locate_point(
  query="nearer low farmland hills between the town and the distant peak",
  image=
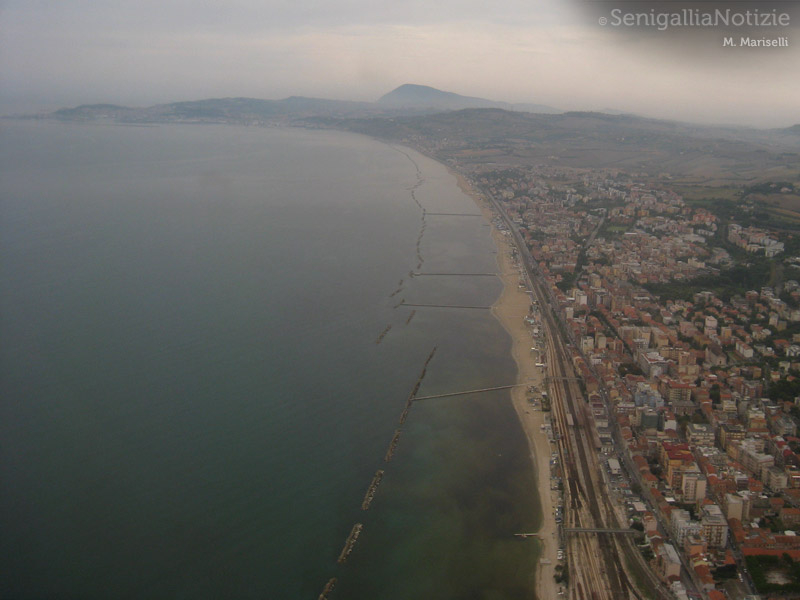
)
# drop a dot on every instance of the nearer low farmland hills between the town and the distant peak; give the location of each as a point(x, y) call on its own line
point(475, 137)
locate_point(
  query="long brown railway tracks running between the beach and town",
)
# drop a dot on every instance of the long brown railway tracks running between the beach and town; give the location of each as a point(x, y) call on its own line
point(600, 561)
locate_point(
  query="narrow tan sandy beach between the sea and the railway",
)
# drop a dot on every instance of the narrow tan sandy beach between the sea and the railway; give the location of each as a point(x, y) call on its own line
point(511, 309)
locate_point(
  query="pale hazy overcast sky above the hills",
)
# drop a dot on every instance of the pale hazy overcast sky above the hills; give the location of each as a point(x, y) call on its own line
point(142, 52)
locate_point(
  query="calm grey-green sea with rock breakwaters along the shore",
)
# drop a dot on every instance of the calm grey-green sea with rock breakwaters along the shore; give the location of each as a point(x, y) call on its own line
point(206, 347)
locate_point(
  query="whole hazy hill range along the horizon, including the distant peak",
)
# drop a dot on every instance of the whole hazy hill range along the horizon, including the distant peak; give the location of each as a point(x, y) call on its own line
point(490, 132)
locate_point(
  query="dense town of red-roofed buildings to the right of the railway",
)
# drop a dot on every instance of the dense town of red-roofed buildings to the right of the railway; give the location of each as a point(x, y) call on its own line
point(683, 325)
